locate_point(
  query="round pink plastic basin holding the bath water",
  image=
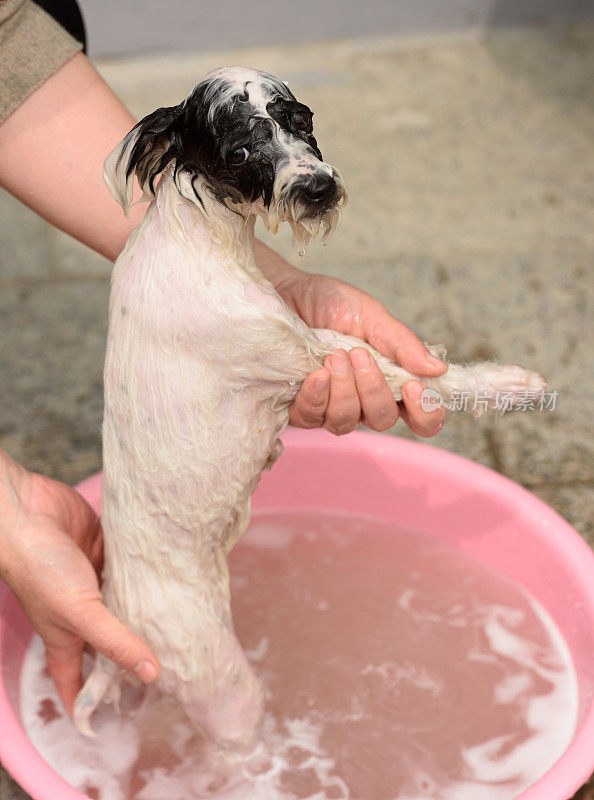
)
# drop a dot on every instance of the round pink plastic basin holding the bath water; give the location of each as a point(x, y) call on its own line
point(419, 487)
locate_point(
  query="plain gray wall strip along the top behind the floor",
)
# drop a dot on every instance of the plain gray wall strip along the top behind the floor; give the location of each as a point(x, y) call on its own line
point(120, 27)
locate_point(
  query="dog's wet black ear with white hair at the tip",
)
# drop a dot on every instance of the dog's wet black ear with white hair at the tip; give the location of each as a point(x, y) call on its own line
point(145, 152)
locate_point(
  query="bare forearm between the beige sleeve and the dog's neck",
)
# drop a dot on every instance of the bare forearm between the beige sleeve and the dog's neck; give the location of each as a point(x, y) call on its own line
point(51, 155)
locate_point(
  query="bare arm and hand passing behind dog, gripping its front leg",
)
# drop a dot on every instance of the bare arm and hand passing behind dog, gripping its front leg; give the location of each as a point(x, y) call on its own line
point(51, 157)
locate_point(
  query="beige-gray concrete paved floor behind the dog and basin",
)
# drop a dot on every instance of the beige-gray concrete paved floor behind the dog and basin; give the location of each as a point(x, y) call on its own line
point(469, 163)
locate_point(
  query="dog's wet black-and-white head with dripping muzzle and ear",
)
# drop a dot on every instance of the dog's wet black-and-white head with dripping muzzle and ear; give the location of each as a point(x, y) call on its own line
point(250, 139)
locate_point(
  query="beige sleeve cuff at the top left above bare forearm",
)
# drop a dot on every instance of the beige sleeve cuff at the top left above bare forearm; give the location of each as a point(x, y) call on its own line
point(32, 47)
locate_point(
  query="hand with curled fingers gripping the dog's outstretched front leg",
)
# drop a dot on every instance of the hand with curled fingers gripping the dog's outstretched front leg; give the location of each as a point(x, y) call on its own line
point(350, 388)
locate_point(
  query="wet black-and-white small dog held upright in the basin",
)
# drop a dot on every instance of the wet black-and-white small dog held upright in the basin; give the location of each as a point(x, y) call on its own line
point(203, 360)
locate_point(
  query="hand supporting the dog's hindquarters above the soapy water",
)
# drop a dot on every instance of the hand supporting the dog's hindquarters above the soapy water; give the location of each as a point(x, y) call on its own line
point(51, 554)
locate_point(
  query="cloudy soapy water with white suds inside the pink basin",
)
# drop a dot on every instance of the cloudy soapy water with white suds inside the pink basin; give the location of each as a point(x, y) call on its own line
point(395, 668)
